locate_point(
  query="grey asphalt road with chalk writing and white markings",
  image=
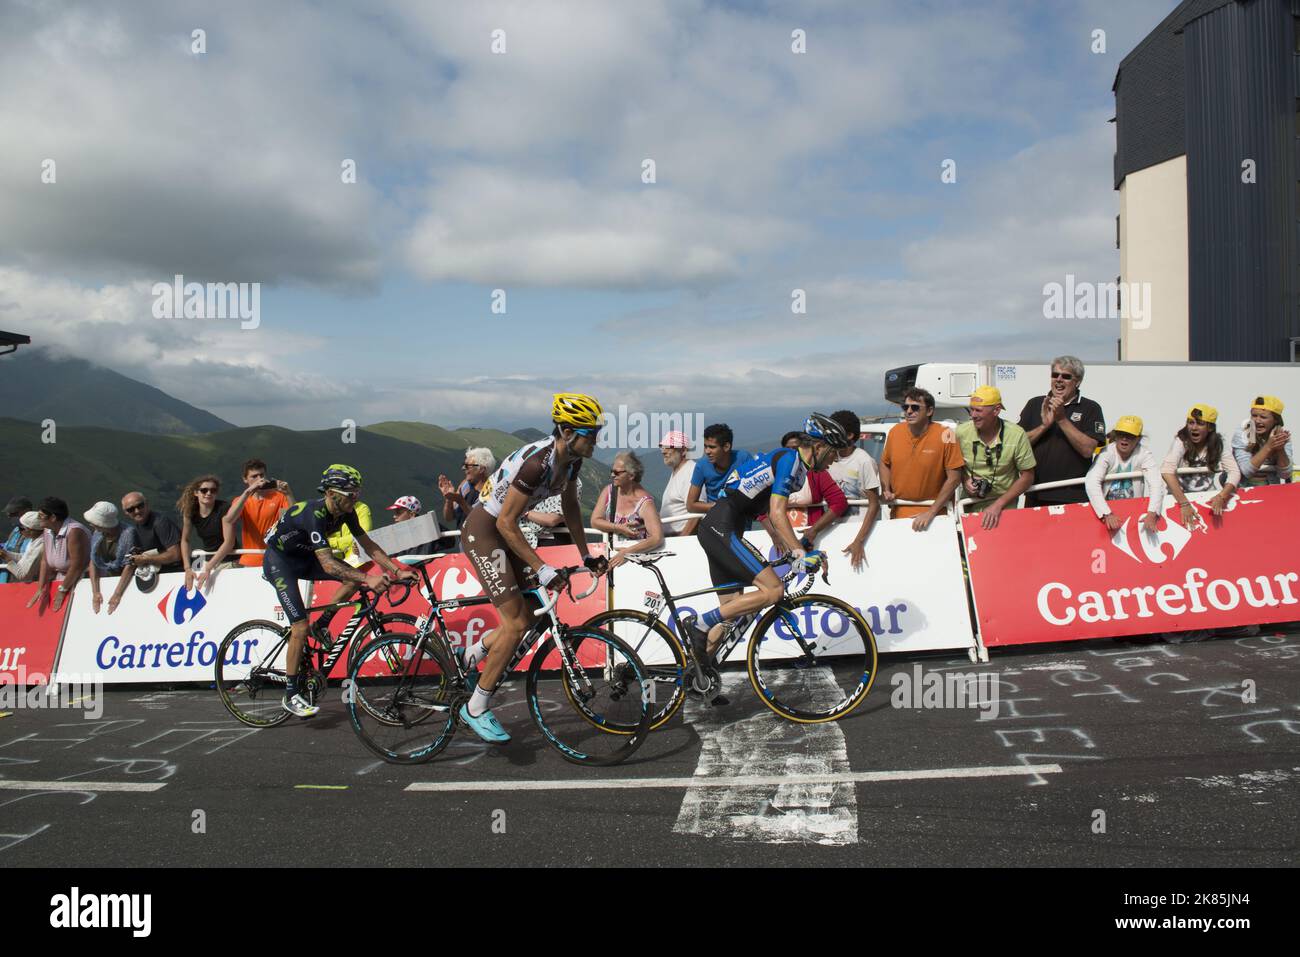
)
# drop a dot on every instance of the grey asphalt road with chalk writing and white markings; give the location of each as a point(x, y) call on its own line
point(1098, 755)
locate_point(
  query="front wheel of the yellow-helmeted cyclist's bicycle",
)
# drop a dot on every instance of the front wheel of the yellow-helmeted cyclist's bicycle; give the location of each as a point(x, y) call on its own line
point(592, 700)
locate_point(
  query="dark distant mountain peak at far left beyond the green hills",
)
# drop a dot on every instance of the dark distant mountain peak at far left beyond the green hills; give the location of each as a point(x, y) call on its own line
point(73, 392)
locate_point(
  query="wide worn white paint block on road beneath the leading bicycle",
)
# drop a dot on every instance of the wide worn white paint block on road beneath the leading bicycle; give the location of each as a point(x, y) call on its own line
point(788, 787)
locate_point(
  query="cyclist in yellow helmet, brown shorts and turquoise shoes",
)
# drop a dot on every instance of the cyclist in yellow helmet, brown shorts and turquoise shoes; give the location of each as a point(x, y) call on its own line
point(502, 558)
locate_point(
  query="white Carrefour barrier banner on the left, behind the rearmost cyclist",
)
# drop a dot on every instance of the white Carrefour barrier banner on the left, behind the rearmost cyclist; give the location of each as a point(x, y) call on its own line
point(168, 635)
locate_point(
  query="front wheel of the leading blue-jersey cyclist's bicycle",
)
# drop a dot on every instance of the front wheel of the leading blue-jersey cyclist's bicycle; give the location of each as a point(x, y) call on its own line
point(812, 660)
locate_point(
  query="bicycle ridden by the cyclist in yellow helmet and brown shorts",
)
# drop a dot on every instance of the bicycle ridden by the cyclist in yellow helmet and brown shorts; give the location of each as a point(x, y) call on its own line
point(586, 690)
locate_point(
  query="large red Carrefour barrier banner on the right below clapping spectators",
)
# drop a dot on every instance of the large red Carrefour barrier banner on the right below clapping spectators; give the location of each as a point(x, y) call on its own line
point(1056, 574)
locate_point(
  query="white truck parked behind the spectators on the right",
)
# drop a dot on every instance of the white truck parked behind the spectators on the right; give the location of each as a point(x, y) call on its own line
point(1160, 393)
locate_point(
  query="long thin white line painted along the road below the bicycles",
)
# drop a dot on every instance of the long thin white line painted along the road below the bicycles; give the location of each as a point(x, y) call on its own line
point(744, 781)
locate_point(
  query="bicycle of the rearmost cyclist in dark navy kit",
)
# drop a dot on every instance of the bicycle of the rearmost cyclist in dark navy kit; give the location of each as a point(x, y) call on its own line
point(250, 668)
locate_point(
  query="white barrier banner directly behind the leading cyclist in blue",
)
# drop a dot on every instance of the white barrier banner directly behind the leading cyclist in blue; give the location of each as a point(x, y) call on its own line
point(912, 591)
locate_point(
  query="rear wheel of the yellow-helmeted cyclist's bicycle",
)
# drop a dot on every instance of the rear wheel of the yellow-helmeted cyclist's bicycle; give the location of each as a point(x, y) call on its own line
point(402, 698)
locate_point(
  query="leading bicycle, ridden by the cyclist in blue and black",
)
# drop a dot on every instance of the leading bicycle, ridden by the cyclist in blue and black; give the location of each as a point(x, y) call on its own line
point(812, 659)
